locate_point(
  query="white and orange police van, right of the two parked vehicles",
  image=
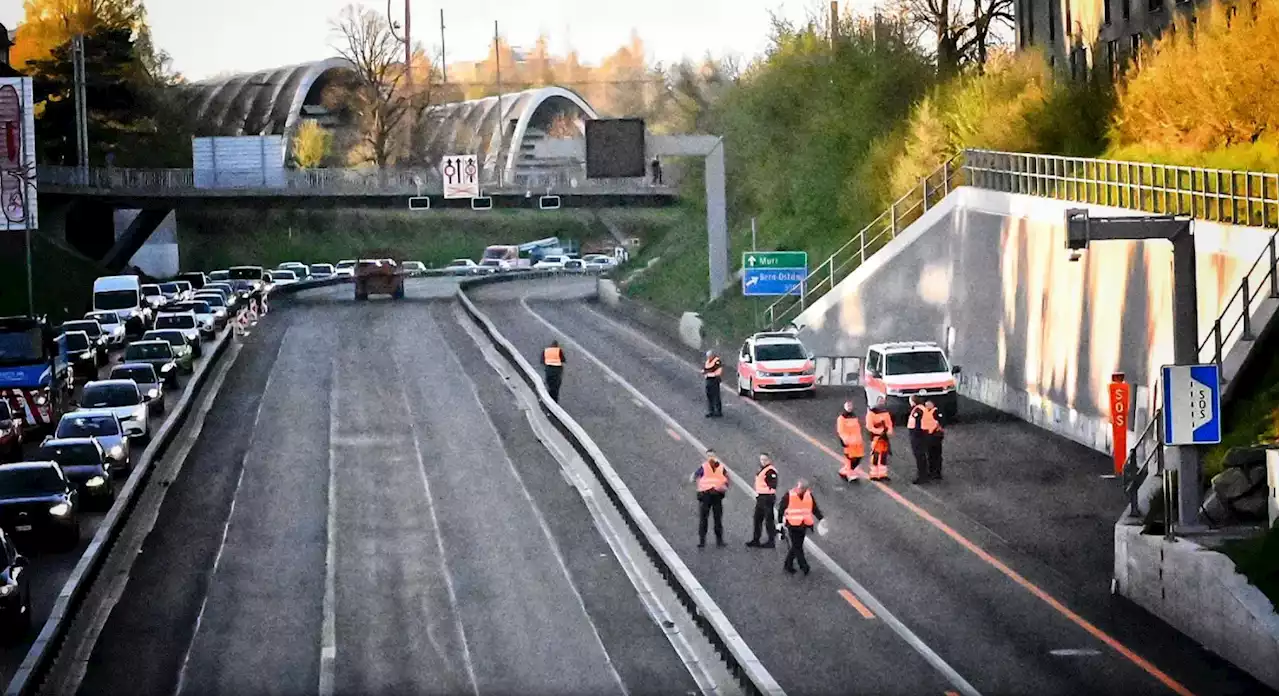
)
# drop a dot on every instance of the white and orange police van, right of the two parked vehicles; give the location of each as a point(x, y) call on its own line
point(900, 370)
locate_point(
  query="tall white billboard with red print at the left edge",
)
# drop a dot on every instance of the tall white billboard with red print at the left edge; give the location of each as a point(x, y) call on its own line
point(17, 154)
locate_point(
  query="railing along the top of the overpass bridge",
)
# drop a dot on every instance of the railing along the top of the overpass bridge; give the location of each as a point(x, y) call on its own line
point(332, 182)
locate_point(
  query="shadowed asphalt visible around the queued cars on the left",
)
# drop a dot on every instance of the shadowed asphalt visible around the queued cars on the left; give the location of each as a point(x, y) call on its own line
point(51, 567)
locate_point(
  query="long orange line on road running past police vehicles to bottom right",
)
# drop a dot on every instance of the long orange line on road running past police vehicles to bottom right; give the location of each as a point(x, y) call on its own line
point(1133, 658)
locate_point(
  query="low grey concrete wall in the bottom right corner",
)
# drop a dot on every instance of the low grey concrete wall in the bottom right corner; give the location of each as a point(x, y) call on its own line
point(1199, 592)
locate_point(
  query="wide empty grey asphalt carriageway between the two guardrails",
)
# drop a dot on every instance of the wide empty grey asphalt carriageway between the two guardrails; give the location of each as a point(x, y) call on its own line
point(367, 512)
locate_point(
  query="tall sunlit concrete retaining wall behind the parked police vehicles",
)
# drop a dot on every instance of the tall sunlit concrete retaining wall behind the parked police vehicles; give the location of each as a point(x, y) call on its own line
point(1037, 336)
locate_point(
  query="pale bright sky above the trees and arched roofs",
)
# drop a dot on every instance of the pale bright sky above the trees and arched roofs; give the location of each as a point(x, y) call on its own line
point(213, 38)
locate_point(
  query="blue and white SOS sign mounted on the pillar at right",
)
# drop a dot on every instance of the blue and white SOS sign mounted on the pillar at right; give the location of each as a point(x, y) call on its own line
point(1194, 405)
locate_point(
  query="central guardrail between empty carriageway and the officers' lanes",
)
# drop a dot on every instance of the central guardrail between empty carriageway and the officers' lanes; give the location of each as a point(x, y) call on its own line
point(742, 662)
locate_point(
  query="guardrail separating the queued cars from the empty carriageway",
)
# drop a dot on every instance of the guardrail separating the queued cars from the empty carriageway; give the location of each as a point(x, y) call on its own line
point(44, 652)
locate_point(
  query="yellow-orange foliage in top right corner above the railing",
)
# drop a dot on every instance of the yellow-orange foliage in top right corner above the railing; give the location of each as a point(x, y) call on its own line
point(1209, 85)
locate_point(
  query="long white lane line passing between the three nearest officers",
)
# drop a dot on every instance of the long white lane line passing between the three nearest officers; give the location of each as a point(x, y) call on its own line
point(906, 634)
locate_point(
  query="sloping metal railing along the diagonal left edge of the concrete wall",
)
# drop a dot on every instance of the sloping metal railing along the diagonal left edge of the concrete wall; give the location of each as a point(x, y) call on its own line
point(877, 233)
